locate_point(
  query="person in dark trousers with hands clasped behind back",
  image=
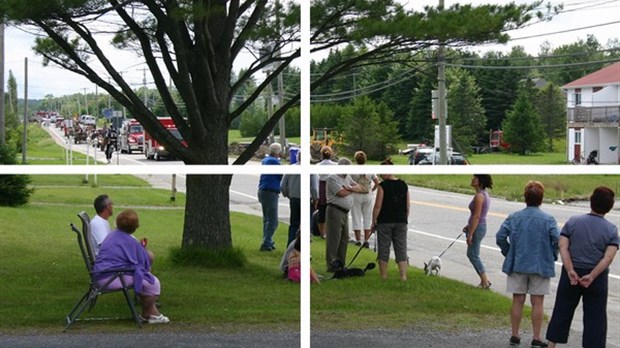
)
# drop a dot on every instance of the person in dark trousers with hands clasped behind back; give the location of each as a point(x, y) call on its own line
point(588, 245)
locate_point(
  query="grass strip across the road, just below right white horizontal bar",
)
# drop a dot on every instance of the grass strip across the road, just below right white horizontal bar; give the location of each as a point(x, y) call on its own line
point(557, 187)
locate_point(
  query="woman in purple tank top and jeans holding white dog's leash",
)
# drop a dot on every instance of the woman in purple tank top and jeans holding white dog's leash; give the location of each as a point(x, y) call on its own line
point(476, 227)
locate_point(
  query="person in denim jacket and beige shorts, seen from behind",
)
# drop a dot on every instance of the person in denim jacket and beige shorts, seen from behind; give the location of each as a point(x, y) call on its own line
point(528, 240)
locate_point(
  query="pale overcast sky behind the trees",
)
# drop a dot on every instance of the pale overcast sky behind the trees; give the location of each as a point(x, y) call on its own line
point(57, 82)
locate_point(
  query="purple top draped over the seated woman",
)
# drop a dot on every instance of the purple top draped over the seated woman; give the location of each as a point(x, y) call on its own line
point(122, 251)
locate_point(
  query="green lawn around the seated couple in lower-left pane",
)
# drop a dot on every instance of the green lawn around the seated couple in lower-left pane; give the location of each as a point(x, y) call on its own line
point(43, 275)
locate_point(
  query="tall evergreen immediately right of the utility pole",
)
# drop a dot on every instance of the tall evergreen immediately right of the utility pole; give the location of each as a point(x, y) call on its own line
point(465, 111)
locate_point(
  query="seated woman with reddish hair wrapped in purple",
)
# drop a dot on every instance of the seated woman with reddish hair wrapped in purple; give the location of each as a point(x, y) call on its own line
point(120, 250)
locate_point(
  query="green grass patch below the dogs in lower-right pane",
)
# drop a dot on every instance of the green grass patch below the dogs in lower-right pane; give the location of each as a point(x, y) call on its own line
point(433, 302)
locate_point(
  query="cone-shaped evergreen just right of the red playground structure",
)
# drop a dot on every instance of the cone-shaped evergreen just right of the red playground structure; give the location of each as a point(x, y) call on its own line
point(522, 127)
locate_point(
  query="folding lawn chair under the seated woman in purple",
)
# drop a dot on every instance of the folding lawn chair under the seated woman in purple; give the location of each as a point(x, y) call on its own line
point(89, 299)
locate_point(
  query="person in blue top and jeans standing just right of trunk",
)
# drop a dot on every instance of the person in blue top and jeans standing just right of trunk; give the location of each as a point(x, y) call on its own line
point(268, 194)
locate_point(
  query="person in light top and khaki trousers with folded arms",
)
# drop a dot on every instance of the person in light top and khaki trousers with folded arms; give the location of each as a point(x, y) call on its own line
point(339, 188)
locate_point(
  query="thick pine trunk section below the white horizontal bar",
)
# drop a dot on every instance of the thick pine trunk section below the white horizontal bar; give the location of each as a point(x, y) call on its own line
point(207, 212)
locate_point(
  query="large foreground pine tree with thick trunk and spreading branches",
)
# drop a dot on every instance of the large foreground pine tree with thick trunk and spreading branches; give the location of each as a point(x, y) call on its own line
point(194, 44)
